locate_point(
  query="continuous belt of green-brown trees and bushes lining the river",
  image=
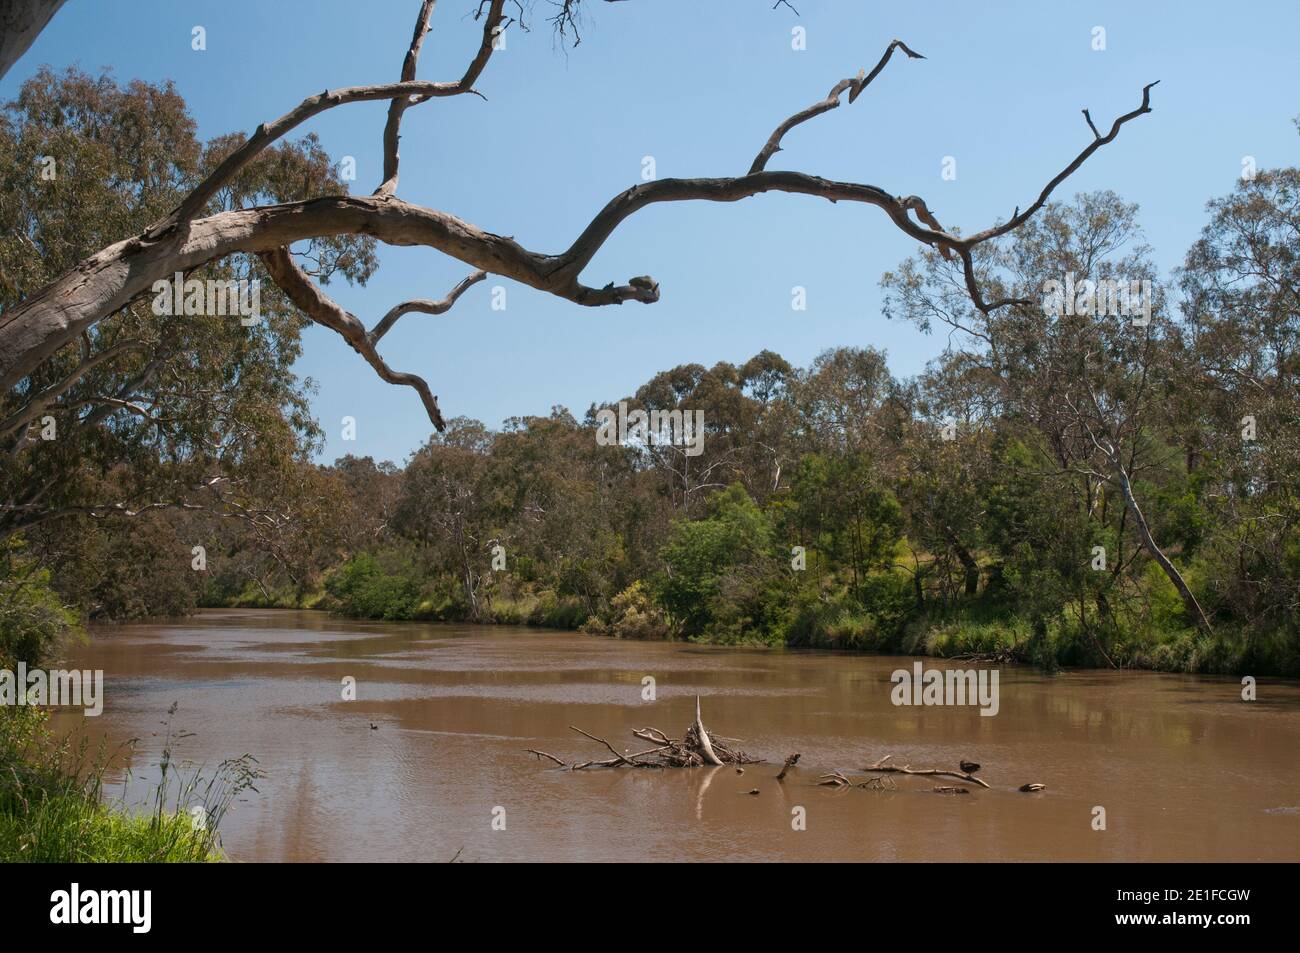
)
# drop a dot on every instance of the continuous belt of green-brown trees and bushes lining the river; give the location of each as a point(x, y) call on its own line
point(1082, 487)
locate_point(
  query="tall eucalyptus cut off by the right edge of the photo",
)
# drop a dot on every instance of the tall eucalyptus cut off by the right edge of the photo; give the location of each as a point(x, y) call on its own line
point(1241, 288)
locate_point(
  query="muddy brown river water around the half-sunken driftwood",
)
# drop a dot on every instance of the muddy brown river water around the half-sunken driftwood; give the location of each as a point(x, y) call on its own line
point(1182, 766)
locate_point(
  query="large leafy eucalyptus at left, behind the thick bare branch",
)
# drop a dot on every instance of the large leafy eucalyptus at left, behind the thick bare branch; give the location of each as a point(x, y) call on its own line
point(151, 413)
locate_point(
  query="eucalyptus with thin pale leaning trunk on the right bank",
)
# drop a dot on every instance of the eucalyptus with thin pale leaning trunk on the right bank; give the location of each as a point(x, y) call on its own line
point(1086, 359)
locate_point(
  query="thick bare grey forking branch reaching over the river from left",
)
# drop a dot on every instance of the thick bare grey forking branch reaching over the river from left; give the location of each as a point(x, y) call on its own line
point(110, 280)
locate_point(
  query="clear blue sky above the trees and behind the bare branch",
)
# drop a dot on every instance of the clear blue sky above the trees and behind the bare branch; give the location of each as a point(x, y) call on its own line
point(700, 86)
